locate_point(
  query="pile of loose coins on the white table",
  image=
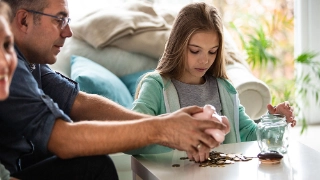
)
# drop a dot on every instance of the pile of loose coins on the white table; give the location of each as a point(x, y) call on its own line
point(219, 159)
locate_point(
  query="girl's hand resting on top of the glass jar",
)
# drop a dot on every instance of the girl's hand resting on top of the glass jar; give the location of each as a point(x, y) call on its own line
point(285, 109)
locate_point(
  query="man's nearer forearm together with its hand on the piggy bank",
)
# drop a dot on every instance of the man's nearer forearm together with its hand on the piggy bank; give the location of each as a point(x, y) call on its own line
point(177, 130)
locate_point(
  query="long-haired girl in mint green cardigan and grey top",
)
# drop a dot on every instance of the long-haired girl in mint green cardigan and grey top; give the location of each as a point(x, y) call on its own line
point(192, 71)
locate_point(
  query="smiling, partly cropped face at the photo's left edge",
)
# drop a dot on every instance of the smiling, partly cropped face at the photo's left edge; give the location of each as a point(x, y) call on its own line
point(8, 58)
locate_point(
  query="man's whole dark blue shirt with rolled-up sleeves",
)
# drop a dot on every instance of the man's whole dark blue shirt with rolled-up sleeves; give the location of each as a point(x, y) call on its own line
point(37, 98)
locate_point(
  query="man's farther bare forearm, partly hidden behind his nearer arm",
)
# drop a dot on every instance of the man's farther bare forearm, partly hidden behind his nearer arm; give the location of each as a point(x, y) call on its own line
point(95, 107)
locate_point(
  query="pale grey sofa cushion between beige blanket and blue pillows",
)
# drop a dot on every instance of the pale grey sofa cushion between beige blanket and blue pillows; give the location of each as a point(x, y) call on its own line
point(116, 60)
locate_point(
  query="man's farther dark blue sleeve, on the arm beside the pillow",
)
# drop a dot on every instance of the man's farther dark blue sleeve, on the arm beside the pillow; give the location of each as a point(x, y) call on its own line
point(61, 89)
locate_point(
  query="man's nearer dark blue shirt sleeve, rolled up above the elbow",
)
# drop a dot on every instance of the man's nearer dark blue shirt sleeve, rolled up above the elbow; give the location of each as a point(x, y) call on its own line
point(28, 113)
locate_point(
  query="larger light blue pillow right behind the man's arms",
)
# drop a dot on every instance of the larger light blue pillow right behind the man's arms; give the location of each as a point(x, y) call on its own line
point(95, 79)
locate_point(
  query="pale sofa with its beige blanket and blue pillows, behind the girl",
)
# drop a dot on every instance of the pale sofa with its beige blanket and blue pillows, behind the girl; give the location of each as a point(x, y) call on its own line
point(111, 48)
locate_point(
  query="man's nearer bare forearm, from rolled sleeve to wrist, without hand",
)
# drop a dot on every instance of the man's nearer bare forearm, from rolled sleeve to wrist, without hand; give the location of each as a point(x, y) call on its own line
point(88, 138)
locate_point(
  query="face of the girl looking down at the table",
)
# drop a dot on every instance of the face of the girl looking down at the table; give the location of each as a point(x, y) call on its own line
point(201, 53)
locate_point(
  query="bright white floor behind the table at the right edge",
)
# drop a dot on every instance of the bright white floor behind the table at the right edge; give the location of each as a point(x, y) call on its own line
point(310, 137)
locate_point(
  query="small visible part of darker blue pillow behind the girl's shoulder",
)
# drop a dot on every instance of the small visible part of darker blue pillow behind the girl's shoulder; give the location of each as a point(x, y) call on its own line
point(131, 82)
